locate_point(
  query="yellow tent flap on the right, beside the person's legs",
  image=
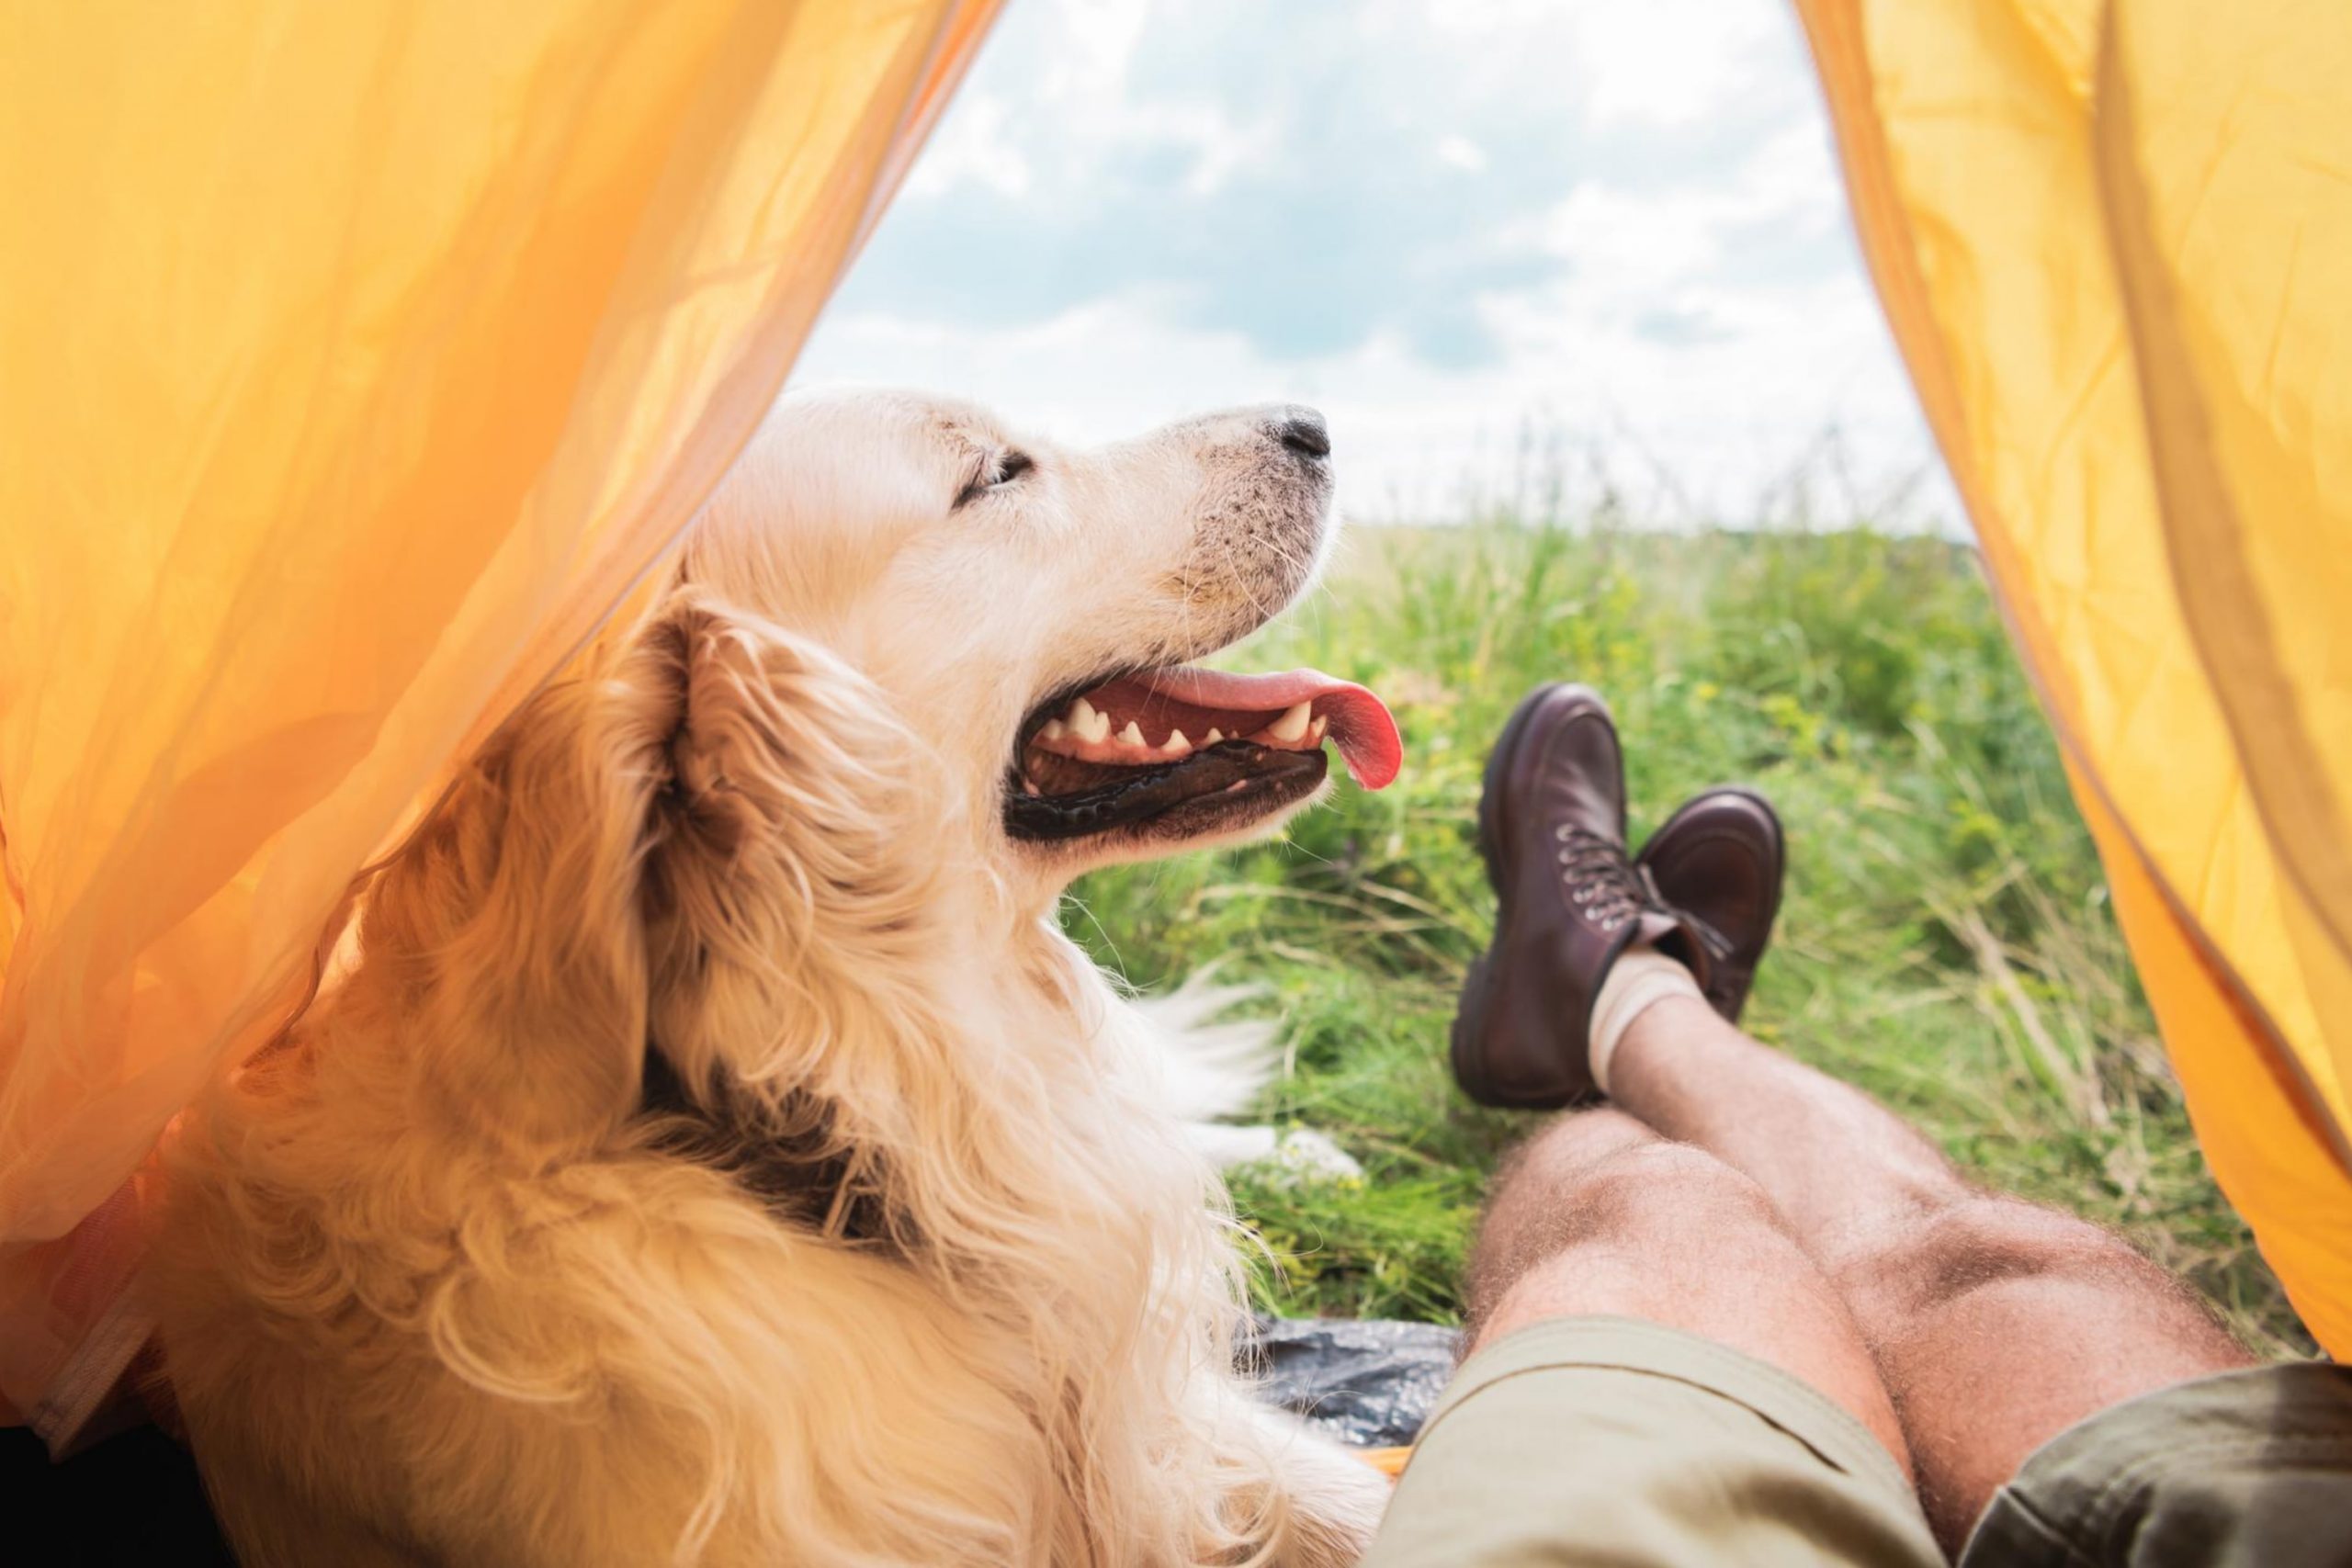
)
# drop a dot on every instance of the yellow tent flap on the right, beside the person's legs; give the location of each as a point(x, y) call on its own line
point(2116, 243)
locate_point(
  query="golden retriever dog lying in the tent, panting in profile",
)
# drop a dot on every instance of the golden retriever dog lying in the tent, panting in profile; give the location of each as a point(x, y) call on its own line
point(709, 1148)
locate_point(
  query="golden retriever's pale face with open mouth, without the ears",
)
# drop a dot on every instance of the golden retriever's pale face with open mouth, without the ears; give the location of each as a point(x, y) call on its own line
point(1029, 612)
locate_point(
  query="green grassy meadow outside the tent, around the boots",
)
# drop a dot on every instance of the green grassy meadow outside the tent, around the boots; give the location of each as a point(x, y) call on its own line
point(1946, 939)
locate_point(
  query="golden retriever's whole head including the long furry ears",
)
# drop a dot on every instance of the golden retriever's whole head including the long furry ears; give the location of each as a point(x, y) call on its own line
point(914, 669)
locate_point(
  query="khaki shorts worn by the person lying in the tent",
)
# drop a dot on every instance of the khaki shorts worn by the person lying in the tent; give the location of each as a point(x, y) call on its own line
point(1629, 1445)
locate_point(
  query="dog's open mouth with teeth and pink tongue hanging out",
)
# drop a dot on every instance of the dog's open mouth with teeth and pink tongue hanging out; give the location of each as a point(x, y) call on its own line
point(1191, 751)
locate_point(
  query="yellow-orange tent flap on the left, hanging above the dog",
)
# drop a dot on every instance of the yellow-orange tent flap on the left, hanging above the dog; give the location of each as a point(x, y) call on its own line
point(356, 361)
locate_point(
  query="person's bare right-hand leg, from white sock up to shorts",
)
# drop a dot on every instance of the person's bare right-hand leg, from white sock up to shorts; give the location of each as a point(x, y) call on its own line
point(1996, 1325)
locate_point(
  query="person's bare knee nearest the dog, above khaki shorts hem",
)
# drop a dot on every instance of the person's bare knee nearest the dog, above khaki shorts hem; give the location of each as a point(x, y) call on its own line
point(1601, 1217)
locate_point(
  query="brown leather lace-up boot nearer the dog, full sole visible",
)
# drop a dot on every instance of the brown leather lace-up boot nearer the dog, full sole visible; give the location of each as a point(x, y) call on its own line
point(1568, 904)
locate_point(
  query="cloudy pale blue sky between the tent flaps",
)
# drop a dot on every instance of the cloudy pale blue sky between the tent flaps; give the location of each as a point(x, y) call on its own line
point(1523, 253)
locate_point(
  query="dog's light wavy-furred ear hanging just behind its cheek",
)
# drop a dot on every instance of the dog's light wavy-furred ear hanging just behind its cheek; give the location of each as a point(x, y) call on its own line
point(791, 880)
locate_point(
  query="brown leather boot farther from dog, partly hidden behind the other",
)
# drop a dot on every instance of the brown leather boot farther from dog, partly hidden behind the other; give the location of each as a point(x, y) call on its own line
point(1718, 864)
